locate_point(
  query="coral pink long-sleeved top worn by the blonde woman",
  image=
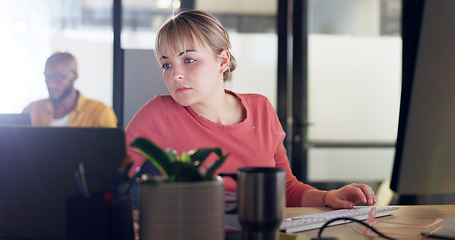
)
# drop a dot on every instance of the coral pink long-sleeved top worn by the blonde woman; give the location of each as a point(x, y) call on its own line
point(255, 142)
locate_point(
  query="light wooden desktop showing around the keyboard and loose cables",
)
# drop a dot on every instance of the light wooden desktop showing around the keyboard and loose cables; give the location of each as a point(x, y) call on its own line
point(416, 215)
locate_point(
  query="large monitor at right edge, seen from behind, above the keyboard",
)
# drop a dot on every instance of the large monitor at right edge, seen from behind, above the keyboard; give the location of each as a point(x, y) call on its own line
point(424, 161)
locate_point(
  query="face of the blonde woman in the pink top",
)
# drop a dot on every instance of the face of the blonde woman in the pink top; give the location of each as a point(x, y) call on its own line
point(194, 76)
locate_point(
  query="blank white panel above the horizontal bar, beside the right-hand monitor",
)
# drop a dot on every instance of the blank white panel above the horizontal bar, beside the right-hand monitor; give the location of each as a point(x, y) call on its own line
point(354, 81)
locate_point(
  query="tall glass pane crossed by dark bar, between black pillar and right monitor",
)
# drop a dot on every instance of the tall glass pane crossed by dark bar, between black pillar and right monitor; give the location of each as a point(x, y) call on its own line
point(354, 84)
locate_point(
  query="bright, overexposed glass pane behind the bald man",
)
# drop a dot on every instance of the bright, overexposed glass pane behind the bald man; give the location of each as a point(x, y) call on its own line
point(32, 30)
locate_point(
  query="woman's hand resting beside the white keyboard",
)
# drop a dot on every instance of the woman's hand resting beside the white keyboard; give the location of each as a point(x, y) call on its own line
point(349, 195)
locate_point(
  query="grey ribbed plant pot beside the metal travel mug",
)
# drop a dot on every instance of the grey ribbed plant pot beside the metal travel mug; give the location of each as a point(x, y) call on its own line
point(182, 211)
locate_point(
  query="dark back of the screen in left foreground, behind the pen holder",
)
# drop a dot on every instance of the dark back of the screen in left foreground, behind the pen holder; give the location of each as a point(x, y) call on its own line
point(37, 166)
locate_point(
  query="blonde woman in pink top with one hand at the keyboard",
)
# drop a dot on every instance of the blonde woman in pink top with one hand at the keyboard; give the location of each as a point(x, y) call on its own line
point(193, 49)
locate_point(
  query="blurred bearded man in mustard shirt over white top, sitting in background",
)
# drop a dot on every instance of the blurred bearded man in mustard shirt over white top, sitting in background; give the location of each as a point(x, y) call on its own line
point(66, 106)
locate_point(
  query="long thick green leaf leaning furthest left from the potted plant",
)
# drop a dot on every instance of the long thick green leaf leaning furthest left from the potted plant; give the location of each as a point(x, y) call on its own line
point(154, 154)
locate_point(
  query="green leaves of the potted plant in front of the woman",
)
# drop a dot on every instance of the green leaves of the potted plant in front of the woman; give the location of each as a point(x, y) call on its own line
point(180, 169)
